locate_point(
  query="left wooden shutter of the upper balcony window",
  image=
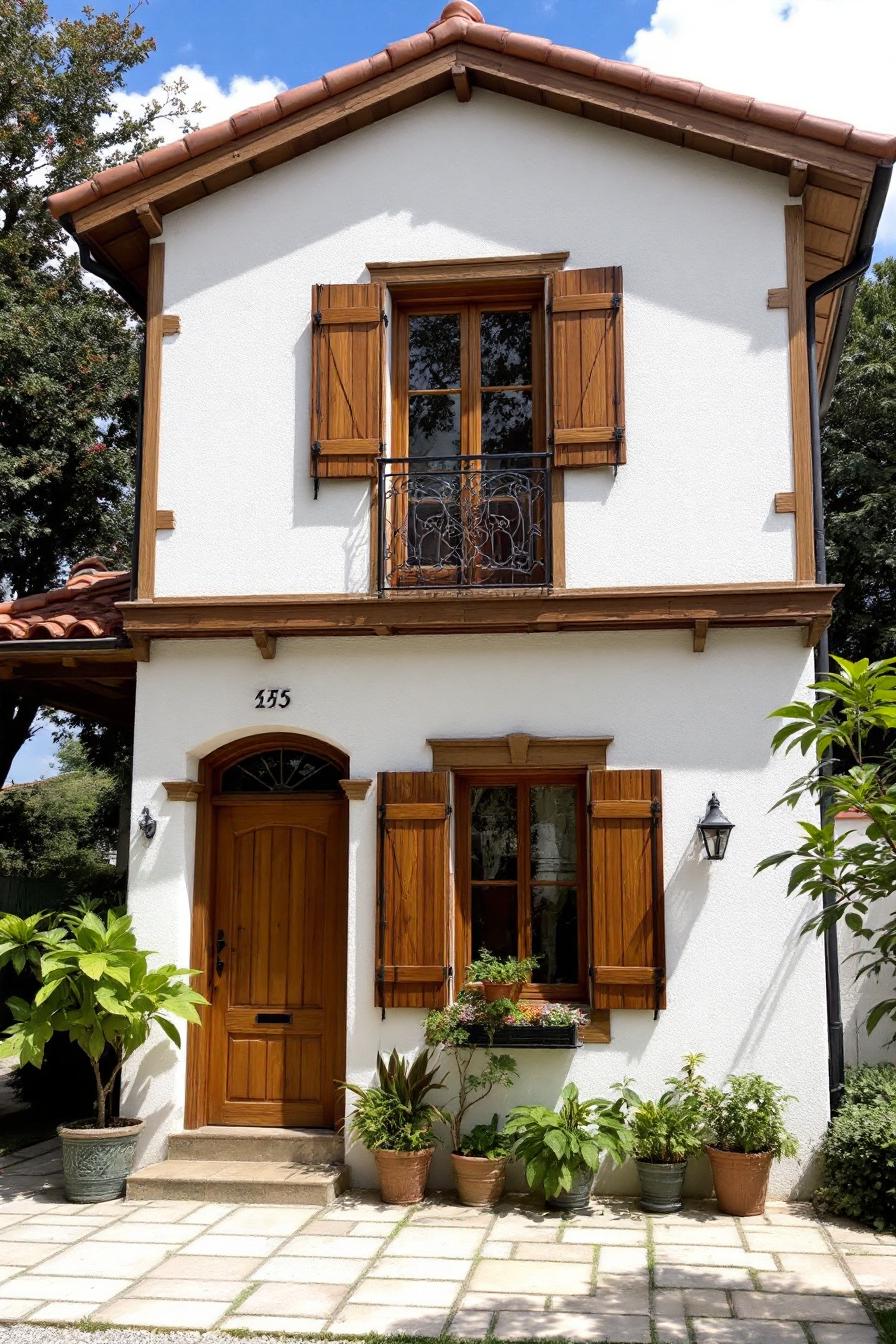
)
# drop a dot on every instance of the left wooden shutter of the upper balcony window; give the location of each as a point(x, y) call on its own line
point(347, 380)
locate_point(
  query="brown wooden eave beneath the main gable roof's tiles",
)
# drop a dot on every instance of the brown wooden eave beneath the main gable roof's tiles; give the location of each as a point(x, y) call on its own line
point(838, 181)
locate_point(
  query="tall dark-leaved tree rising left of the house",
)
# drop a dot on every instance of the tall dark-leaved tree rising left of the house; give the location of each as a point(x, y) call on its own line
point(69, 349)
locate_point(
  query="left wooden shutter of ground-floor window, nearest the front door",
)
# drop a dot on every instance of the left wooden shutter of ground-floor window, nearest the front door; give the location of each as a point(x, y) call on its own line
point(413, 937)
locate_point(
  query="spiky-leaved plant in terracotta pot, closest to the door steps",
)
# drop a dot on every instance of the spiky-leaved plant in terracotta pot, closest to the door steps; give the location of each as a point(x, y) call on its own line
point(394, 1120)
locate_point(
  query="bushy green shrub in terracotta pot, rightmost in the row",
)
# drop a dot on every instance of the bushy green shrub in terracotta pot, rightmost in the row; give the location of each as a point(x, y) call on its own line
point(746, 1123)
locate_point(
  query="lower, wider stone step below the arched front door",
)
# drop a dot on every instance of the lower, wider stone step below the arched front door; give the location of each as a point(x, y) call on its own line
point(240, 1183)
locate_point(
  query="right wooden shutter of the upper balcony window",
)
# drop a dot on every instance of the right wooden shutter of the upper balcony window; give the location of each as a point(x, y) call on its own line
point(586, 347)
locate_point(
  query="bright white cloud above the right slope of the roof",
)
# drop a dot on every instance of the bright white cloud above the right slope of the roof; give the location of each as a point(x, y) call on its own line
point(835, 58)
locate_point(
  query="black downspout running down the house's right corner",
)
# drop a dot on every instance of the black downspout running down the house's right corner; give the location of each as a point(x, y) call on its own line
point(848, 275)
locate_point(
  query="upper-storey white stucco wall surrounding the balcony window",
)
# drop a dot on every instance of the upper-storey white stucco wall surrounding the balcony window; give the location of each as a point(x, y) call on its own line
point(706, 364)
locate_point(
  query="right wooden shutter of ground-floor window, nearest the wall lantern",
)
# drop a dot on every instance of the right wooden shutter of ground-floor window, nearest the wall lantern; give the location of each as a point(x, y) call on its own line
point(628, 927)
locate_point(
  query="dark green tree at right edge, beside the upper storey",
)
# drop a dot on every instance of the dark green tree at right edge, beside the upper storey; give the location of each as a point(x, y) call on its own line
point(860, 475)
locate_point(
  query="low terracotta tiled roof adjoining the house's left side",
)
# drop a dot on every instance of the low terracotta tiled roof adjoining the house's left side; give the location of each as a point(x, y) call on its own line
point(84, 610)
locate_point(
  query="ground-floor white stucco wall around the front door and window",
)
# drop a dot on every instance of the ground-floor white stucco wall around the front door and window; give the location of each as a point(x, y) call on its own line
point(744, 987)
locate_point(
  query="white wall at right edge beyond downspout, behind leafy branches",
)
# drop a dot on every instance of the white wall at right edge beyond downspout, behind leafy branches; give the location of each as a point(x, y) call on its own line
point(859, 995)
